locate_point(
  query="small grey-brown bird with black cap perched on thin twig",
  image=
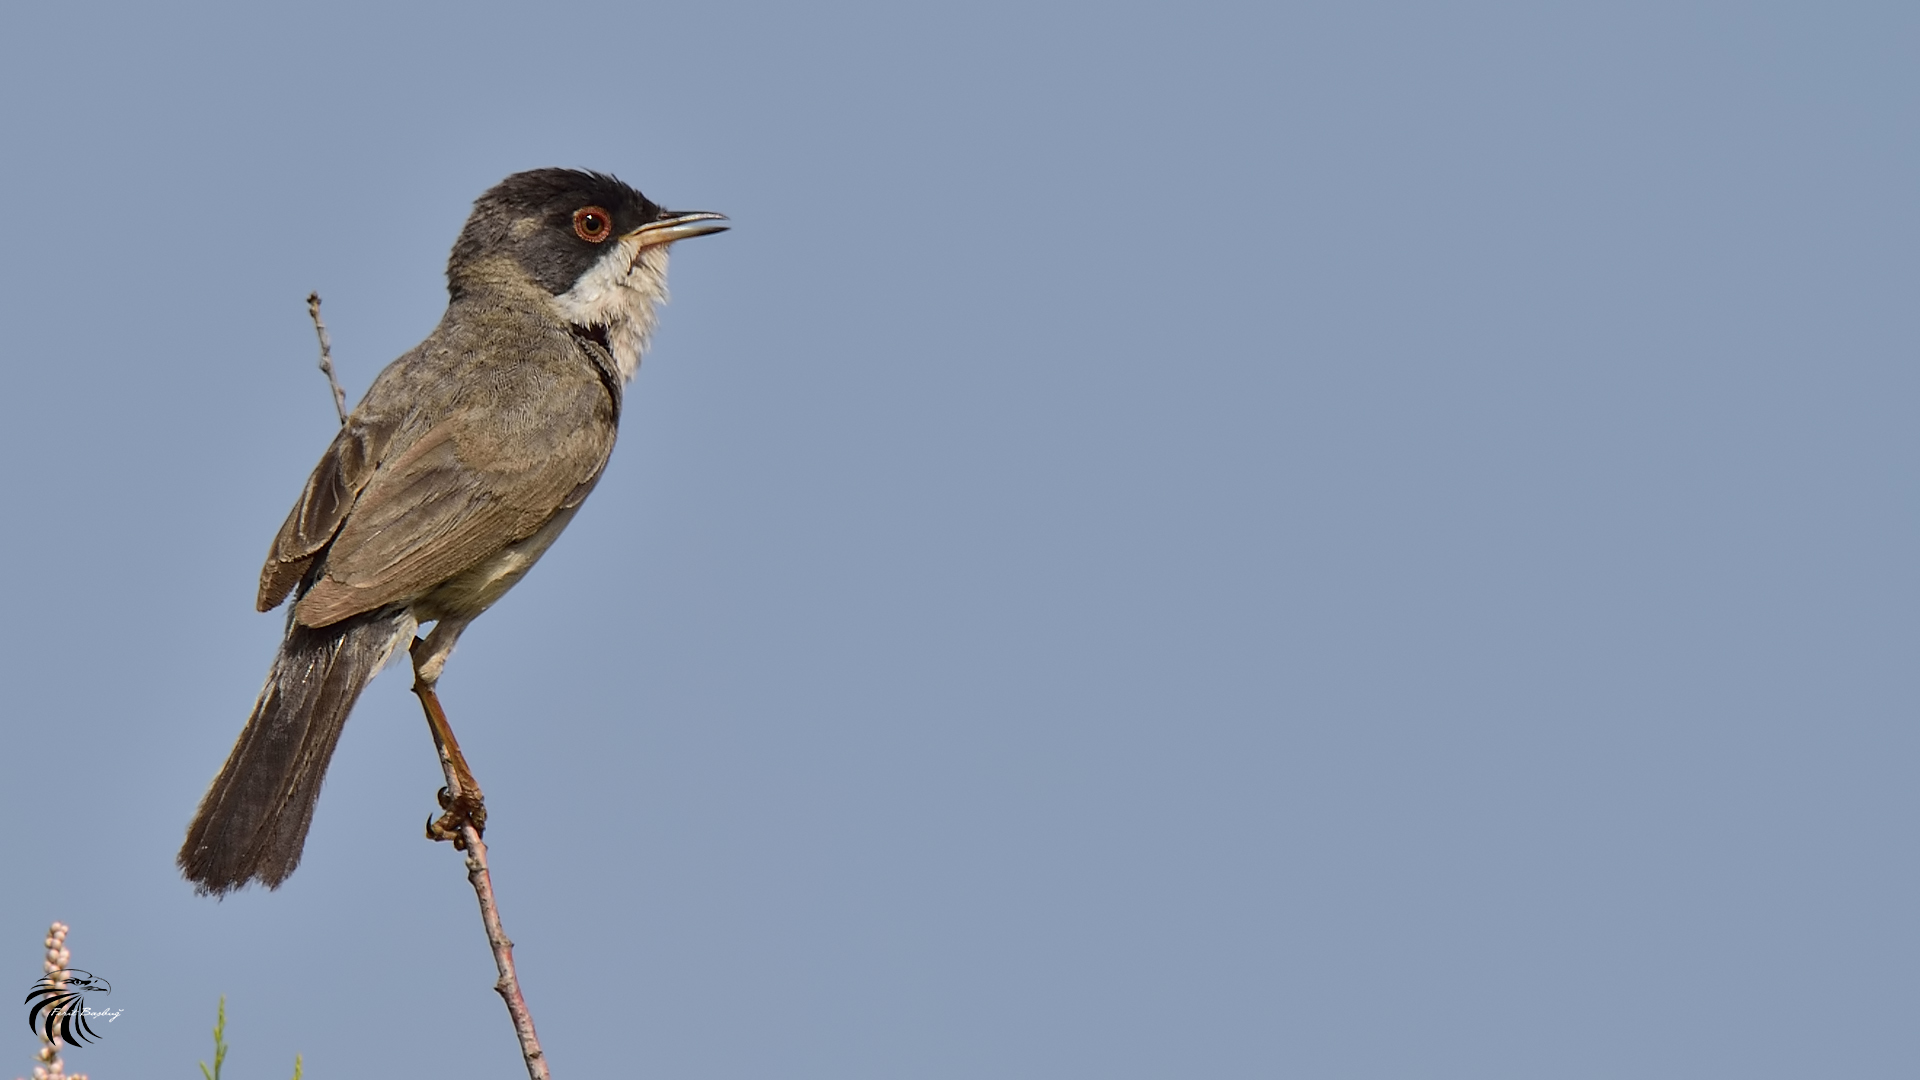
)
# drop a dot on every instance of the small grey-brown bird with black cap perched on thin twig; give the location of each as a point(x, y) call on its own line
point(464, 462)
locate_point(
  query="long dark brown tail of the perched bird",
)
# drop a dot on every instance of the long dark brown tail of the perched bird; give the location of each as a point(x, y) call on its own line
point(254, 820)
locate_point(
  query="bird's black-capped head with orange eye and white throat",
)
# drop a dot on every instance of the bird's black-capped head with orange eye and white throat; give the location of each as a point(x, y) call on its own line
point(585, 239)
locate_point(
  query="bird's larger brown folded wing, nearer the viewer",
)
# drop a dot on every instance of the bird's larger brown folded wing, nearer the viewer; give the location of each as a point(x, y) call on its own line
point(450, 501)
